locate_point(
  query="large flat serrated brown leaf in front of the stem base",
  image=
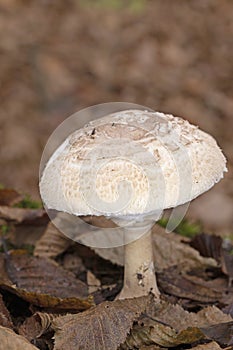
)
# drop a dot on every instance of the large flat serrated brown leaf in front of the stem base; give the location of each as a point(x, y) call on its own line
point(102, 327)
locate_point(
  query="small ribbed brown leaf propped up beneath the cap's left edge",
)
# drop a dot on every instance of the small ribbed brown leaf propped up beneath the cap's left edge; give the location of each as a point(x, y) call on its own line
point(52, 243)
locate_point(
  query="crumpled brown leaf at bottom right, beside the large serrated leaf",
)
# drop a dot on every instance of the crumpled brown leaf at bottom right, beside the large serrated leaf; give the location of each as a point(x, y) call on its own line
point(159, 326)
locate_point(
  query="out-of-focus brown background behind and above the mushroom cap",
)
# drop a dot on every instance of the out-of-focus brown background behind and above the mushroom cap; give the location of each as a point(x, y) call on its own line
point(58, 56)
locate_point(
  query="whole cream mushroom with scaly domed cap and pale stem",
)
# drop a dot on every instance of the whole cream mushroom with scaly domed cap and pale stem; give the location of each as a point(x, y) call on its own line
point(130, 166)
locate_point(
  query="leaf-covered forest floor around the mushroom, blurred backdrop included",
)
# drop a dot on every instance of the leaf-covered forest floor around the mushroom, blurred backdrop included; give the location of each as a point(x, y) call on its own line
point(57, 57)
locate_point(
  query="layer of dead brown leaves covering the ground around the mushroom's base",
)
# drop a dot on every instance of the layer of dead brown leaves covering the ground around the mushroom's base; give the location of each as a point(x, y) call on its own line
point(192, 276)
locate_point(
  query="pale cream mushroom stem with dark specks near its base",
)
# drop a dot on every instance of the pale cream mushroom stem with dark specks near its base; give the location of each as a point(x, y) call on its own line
point(139, 273)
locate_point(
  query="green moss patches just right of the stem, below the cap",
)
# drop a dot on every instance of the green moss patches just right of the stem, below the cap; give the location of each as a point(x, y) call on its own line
point(185, 228)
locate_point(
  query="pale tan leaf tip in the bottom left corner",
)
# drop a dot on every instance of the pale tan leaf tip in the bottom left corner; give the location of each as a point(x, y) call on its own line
point(12, 341)
